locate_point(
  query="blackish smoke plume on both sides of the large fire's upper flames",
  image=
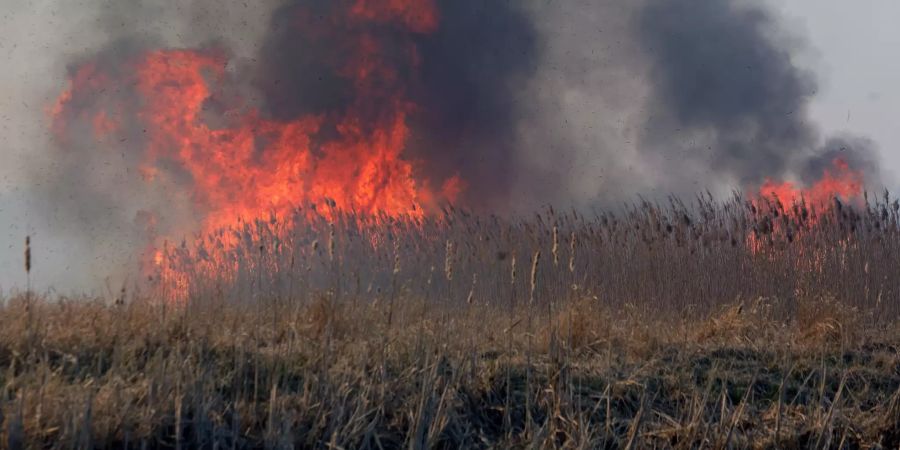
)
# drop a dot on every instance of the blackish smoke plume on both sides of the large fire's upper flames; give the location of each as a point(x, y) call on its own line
point(466, 83)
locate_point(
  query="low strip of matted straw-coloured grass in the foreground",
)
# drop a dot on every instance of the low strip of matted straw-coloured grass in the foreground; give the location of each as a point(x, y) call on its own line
point(323, 375)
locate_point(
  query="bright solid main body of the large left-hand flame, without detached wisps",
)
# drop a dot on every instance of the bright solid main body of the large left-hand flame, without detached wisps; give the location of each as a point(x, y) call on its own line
point(257, 166)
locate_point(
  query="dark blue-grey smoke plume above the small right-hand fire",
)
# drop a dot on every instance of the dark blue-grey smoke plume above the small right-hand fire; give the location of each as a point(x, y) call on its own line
point(721, 76)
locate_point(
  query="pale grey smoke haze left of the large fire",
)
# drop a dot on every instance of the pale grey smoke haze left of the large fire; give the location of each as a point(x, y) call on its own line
point(83, 202)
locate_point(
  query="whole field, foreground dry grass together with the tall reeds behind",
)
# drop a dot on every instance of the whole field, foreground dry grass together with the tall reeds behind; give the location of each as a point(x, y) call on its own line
point(737, 324)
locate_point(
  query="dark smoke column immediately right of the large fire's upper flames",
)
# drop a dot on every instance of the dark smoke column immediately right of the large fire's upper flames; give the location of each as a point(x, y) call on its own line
point(474, 71)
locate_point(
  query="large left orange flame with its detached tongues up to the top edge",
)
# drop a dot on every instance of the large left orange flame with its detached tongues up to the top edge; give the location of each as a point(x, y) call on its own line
point(253, 166)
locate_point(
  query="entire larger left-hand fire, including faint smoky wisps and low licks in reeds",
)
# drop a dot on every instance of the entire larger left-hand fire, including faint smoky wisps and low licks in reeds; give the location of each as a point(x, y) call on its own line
point(244, 166)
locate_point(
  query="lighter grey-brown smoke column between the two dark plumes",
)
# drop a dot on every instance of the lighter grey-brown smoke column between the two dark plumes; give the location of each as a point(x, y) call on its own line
point(582, 110)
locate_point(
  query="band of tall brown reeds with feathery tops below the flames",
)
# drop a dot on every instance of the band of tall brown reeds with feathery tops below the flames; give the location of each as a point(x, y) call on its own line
point(675, 256)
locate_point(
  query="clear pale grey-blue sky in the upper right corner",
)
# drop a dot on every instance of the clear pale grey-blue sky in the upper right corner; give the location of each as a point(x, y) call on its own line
point(854, 54)
